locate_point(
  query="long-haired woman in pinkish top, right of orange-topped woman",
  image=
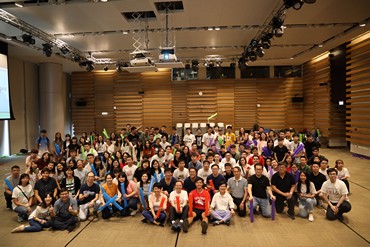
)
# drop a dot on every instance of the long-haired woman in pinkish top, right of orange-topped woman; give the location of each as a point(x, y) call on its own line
point(131, 194)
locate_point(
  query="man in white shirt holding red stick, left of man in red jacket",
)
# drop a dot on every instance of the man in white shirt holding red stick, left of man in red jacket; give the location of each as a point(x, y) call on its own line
point(180, 211)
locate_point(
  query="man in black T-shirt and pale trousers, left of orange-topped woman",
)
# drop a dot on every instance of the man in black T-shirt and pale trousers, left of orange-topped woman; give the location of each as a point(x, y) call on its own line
point(88, 197)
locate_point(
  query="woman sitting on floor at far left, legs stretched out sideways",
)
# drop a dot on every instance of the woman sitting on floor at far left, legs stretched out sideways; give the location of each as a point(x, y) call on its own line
point(39, 217)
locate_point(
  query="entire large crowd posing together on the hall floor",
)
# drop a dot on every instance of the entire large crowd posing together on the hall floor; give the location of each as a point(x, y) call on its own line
point(208, 177)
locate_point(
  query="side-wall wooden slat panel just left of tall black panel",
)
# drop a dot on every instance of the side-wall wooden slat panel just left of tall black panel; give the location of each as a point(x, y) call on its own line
point(317, 97)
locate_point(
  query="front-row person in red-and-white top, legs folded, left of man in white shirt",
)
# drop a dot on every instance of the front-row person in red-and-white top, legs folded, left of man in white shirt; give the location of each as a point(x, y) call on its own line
point(157, 206)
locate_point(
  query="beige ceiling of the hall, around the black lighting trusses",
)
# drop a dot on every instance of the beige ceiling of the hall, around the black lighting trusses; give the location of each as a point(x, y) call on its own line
point(97, 27)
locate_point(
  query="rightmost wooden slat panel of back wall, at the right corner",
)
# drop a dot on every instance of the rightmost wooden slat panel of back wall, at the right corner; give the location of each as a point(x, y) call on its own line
point(294, 88)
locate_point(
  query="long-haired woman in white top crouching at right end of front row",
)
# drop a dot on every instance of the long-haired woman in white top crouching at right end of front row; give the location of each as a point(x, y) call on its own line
point(306, 193)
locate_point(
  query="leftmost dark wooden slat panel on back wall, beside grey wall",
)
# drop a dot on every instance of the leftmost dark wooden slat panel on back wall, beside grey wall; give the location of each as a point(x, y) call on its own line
point(83, 117)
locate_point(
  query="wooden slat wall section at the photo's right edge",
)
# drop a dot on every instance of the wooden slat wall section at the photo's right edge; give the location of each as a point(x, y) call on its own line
point(358, 91)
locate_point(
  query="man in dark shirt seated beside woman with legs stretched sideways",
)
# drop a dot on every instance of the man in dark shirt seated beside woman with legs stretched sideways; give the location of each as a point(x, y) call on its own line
point(64, 213)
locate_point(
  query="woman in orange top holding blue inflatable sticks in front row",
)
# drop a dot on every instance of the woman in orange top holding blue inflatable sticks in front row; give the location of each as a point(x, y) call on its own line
point(111, 189)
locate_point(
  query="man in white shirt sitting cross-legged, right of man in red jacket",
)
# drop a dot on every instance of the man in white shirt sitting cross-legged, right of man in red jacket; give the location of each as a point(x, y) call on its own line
point(222, 206)
